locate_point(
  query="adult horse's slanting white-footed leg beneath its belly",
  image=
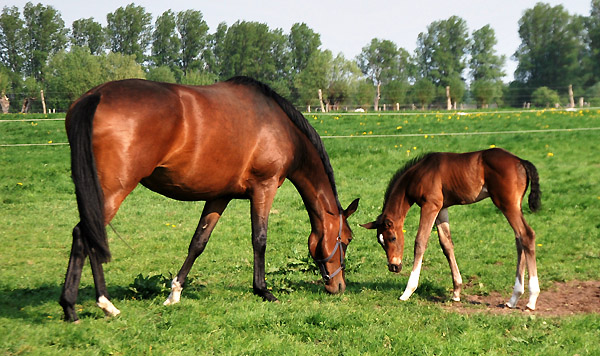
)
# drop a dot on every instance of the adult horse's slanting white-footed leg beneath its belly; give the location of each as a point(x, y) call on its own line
point(210, 215)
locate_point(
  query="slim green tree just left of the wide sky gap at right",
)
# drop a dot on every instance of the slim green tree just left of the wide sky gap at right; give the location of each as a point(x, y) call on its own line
point(485, 64)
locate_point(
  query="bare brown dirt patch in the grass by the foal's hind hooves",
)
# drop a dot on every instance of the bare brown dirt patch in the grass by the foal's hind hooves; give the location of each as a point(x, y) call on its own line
point(570, 298)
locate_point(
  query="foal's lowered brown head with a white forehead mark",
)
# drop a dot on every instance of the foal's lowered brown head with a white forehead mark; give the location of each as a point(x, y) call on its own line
point(391, 237)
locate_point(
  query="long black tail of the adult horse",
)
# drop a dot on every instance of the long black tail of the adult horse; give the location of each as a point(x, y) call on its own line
point(90, 199)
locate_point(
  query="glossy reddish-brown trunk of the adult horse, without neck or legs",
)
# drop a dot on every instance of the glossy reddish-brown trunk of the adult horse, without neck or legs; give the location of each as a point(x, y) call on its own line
point(188, 142)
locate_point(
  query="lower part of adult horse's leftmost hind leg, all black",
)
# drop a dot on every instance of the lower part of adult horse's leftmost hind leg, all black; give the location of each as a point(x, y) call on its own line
point(68, 296)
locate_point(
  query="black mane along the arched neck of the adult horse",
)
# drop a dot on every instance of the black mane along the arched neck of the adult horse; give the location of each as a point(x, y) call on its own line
point(299, 120)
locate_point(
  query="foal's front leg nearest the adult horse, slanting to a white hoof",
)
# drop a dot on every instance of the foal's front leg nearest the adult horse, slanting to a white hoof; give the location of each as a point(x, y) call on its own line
point(428, 215)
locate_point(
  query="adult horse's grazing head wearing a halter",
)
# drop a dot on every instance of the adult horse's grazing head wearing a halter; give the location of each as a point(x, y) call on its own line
point(329, 252)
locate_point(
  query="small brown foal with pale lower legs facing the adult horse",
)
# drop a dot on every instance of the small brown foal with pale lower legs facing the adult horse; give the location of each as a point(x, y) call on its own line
point(437, 181)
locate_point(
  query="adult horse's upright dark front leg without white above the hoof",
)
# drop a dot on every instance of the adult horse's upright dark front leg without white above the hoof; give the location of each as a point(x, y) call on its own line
point(260, 207)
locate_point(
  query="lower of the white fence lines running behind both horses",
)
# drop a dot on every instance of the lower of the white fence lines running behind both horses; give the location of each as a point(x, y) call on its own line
point(378, 136)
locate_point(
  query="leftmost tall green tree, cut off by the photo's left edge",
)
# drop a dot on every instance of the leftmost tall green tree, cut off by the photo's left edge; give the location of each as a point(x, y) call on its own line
point(12, 39)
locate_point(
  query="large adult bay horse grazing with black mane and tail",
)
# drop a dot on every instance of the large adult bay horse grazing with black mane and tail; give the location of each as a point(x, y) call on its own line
point(232, 140)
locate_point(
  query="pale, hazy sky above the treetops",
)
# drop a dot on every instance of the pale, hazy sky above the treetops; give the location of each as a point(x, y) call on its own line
point(345, 26)
